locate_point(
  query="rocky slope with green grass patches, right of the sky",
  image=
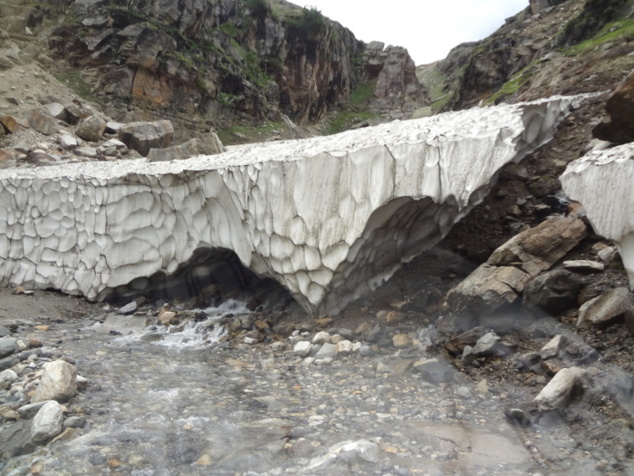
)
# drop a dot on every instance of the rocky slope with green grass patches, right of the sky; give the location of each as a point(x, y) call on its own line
point(552, 47)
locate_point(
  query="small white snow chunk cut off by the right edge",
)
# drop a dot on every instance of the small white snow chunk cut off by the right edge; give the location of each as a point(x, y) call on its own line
point(603, 182)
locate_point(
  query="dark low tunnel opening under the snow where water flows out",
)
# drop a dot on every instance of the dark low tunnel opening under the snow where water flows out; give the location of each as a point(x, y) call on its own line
point(210, 277)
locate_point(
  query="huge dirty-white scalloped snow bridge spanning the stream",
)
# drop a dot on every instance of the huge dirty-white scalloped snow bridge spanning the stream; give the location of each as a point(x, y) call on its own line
point(329, 218)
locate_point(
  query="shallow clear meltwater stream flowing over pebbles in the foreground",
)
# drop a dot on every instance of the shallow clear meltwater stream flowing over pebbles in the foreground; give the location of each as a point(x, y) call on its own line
point(186, 400)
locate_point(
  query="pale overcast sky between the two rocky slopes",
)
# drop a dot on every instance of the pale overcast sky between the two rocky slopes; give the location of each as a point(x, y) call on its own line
point(427, 28)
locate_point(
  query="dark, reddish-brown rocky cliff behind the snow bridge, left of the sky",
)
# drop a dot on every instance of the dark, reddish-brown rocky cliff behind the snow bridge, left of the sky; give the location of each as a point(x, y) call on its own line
point(218, 63)
